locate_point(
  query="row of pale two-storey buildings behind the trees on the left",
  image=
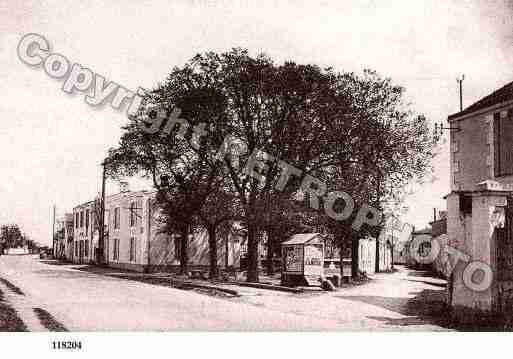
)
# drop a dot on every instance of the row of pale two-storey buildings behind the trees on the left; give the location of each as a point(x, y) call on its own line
point(133, 238)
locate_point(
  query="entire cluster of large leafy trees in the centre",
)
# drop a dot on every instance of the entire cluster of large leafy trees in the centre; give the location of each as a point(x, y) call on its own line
point(334, 131)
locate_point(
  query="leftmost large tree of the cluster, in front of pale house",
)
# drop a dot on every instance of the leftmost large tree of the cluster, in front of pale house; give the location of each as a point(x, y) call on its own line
point(176, 156)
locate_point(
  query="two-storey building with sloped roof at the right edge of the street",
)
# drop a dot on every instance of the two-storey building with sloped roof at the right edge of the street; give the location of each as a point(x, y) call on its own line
point(479, 205)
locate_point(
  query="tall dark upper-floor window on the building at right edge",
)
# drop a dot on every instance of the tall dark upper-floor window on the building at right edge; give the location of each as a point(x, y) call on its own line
point(503, 144)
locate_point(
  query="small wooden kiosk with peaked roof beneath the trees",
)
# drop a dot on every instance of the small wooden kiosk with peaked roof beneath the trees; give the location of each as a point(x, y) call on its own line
point(303, 260)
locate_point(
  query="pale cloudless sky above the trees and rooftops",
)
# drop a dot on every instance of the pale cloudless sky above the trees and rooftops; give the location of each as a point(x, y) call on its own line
point(52, 143)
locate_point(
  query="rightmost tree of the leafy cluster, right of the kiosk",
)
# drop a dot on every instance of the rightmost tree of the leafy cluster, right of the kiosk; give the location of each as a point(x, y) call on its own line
point(395, 149)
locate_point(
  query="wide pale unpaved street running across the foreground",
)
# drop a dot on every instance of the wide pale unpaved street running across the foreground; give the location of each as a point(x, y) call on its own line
point(84, 301)
